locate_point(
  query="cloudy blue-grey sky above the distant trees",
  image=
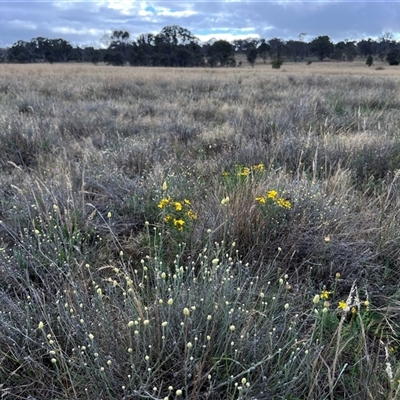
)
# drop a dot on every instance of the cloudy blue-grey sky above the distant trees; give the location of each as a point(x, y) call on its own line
point(85, 22)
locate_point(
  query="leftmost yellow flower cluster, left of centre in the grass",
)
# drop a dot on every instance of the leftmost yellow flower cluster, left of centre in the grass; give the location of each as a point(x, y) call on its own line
point(176, 213)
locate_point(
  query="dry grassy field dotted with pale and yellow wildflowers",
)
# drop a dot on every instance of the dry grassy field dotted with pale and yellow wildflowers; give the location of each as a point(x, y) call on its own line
point(198, 233)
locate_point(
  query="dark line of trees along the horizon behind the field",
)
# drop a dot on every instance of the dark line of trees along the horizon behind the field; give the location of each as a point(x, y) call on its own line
point(175, 46)
